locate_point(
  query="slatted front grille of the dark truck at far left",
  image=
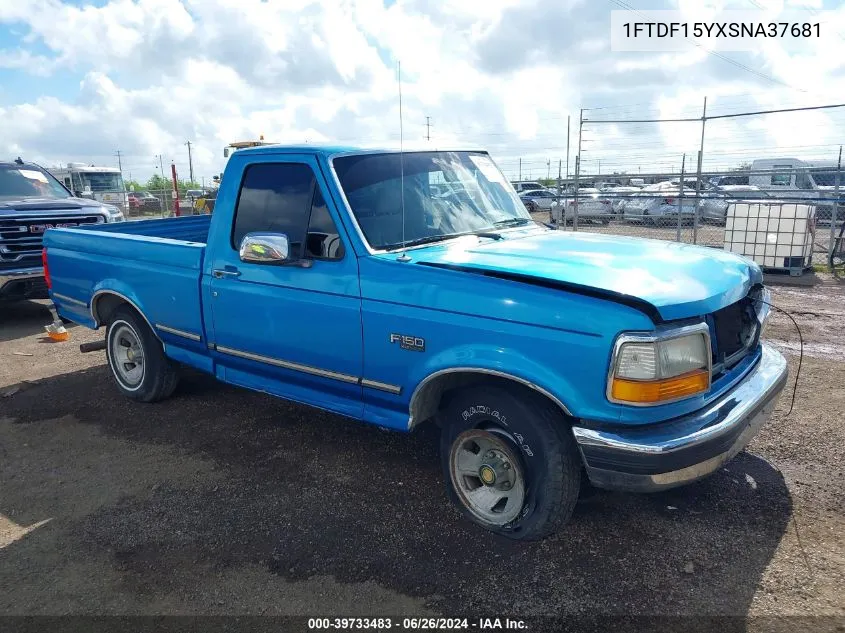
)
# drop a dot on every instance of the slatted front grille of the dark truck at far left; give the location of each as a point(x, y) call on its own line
point(21, 237)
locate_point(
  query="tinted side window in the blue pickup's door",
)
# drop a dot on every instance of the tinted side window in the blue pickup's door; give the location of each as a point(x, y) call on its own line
point(276, 198)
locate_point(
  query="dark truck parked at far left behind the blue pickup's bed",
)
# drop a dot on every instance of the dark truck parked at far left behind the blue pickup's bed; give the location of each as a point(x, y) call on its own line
point(31, 201)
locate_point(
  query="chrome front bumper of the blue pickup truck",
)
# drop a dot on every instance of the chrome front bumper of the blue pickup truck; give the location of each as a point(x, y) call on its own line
point(668, 454)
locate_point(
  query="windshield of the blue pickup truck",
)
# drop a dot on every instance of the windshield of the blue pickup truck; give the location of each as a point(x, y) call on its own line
point(444, 194)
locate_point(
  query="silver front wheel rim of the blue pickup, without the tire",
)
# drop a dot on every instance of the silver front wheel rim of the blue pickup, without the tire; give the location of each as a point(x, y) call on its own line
point(488, 476)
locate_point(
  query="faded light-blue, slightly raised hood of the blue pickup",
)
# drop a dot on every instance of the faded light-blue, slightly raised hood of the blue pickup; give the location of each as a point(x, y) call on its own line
point(674, 281)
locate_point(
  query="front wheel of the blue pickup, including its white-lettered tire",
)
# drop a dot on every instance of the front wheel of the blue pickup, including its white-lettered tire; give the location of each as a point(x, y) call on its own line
point(526, 443)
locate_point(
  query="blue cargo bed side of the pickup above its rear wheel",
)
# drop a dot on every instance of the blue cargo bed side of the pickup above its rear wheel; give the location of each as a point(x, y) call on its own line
point(155, 264)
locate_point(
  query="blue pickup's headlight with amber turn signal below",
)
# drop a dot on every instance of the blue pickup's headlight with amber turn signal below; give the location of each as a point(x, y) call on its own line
point(654, 369)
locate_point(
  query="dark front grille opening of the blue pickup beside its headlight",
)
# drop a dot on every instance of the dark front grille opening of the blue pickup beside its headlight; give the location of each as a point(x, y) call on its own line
point(734, 331)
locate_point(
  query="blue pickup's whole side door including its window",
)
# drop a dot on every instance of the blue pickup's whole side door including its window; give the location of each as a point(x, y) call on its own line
point(294, 328)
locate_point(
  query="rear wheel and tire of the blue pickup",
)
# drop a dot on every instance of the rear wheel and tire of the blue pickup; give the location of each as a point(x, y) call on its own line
point(128, 339)
